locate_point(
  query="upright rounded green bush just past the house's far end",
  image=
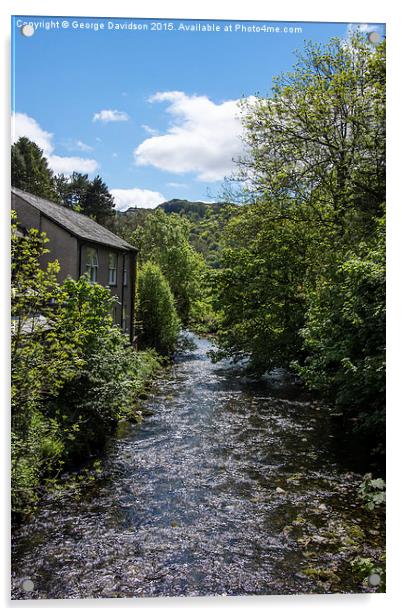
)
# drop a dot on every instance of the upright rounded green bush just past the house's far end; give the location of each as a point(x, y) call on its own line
point(159, 323)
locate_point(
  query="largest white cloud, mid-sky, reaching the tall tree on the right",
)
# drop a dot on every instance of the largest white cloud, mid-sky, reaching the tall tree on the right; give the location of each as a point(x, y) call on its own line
point(203, 138)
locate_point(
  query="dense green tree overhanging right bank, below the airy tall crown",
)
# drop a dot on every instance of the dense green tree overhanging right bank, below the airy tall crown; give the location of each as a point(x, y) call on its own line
point(259, 288)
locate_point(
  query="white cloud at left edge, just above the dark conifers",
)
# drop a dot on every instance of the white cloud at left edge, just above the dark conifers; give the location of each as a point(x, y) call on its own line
point(23, 125)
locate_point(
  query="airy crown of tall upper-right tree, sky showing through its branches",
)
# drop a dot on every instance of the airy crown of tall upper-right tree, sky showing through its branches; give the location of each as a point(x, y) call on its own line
point(320, 138)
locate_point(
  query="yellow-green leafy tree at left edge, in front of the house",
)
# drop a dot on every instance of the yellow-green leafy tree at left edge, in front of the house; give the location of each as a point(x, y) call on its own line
point(40, 361)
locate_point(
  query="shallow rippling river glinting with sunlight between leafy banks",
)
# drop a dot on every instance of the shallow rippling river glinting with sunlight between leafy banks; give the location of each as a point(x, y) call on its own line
point(229, 486)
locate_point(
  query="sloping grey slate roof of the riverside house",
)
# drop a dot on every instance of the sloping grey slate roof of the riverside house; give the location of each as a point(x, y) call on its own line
point(77, 224)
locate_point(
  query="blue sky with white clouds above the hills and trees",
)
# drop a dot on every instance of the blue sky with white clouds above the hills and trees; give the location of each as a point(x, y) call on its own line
point(150, 105)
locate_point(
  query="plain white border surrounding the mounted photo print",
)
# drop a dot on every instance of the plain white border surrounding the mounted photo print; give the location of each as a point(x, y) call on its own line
point(366, 11)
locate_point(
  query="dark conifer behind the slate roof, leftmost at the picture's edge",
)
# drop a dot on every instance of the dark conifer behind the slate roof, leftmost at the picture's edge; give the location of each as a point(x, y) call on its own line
point(30, 169)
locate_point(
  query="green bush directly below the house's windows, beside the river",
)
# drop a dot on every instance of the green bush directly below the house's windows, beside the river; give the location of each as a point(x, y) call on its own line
point(89, 403)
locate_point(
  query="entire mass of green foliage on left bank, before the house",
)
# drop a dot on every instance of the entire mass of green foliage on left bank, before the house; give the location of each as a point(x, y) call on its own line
point(73, 373)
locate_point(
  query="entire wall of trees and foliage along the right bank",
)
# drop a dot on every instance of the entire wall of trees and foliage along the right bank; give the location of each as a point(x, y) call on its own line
point(303, 269)
